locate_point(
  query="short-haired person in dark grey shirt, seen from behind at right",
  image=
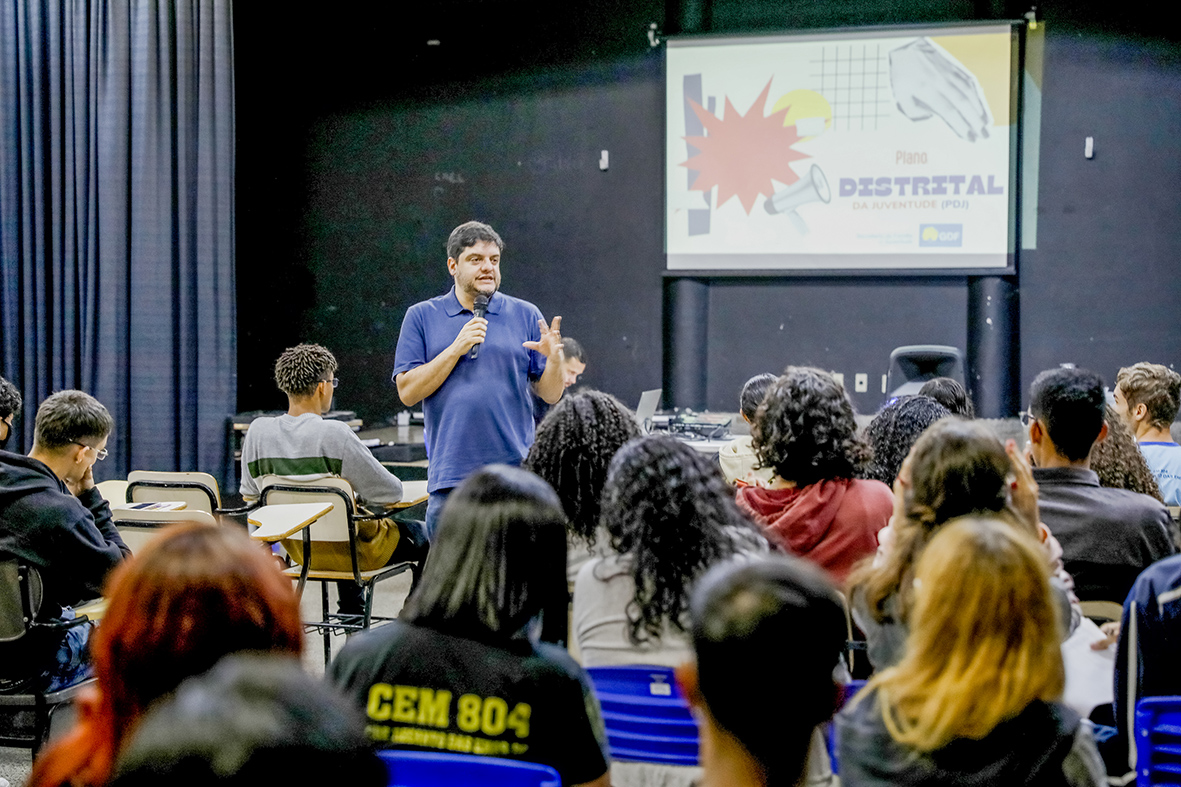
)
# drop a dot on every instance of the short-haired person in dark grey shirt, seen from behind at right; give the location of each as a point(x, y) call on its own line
point(1108, 536)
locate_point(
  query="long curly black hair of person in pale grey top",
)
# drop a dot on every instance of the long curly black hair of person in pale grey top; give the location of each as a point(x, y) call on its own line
point(671, 516)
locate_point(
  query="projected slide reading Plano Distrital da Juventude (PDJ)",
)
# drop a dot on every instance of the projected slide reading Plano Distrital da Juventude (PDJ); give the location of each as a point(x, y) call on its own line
point(860, 151)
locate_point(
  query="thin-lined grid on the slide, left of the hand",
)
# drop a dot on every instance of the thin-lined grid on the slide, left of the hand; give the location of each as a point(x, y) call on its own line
point(854, 80)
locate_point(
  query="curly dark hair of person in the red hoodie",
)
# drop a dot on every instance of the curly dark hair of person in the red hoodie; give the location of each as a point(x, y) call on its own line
point(806, 430)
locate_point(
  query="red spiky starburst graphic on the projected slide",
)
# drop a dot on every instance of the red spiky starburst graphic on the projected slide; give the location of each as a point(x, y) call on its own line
point(743, 153)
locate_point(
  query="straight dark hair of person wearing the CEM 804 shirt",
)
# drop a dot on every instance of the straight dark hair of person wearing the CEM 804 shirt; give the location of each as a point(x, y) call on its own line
point(499, 561)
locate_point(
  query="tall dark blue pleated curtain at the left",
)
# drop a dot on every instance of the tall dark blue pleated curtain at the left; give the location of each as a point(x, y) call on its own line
point(118, 220)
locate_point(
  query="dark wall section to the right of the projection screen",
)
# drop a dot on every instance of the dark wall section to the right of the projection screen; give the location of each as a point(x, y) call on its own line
point(1104, 289)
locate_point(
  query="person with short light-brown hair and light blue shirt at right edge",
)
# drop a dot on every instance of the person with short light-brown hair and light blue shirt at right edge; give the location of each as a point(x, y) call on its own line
point(1149, 398)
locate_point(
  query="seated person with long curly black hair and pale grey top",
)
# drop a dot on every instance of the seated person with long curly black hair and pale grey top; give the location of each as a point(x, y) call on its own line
point(670, 517)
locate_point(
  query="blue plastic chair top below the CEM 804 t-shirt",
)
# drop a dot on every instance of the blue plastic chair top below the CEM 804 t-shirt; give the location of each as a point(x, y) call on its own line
point(446, 770)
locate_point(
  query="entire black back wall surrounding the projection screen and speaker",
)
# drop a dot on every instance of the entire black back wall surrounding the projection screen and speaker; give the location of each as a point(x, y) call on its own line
point(358, 157)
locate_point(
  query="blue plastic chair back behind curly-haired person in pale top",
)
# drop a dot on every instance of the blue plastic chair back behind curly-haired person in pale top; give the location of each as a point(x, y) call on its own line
point(648, 719)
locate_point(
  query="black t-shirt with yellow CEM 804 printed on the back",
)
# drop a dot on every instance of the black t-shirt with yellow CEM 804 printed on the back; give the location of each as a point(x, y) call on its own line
point(422, 690)
